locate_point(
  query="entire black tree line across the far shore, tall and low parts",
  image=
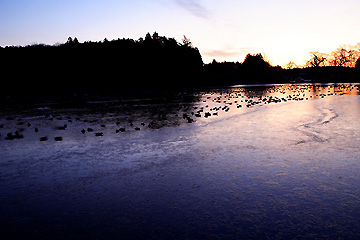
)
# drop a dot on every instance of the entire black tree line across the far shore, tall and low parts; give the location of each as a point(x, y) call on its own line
point(153, 63)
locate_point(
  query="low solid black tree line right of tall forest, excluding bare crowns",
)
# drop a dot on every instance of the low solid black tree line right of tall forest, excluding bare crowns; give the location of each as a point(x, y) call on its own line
point(255, 70)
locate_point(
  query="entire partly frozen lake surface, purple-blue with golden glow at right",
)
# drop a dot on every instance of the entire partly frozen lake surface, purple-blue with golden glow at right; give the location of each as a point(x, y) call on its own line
point(273, 162)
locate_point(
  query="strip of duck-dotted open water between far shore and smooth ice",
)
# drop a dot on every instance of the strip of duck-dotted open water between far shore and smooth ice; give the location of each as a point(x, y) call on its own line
point(124, 115)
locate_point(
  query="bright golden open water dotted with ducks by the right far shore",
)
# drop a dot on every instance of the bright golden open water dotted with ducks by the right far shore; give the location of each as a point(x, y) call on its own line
point(233, 100)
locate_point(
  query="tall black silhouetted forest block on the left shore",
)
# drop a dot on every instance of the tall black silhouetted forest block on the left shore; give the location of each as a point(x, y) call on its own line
point(116, 66)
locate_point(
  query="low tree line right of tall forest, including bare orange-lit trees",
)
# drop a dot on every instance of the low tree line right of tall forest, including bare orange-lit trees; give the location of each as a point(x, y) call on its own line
point(341, 65)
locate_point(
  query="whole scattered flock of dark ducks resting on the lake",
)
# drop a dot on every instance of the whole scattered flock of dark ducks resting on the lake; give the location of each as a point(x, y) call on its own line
point(212, 103)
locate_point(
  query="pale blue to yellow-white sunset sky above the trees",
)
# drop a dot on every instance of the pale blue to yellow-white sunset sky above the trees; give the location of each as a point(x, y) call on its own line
point(226, 30)
